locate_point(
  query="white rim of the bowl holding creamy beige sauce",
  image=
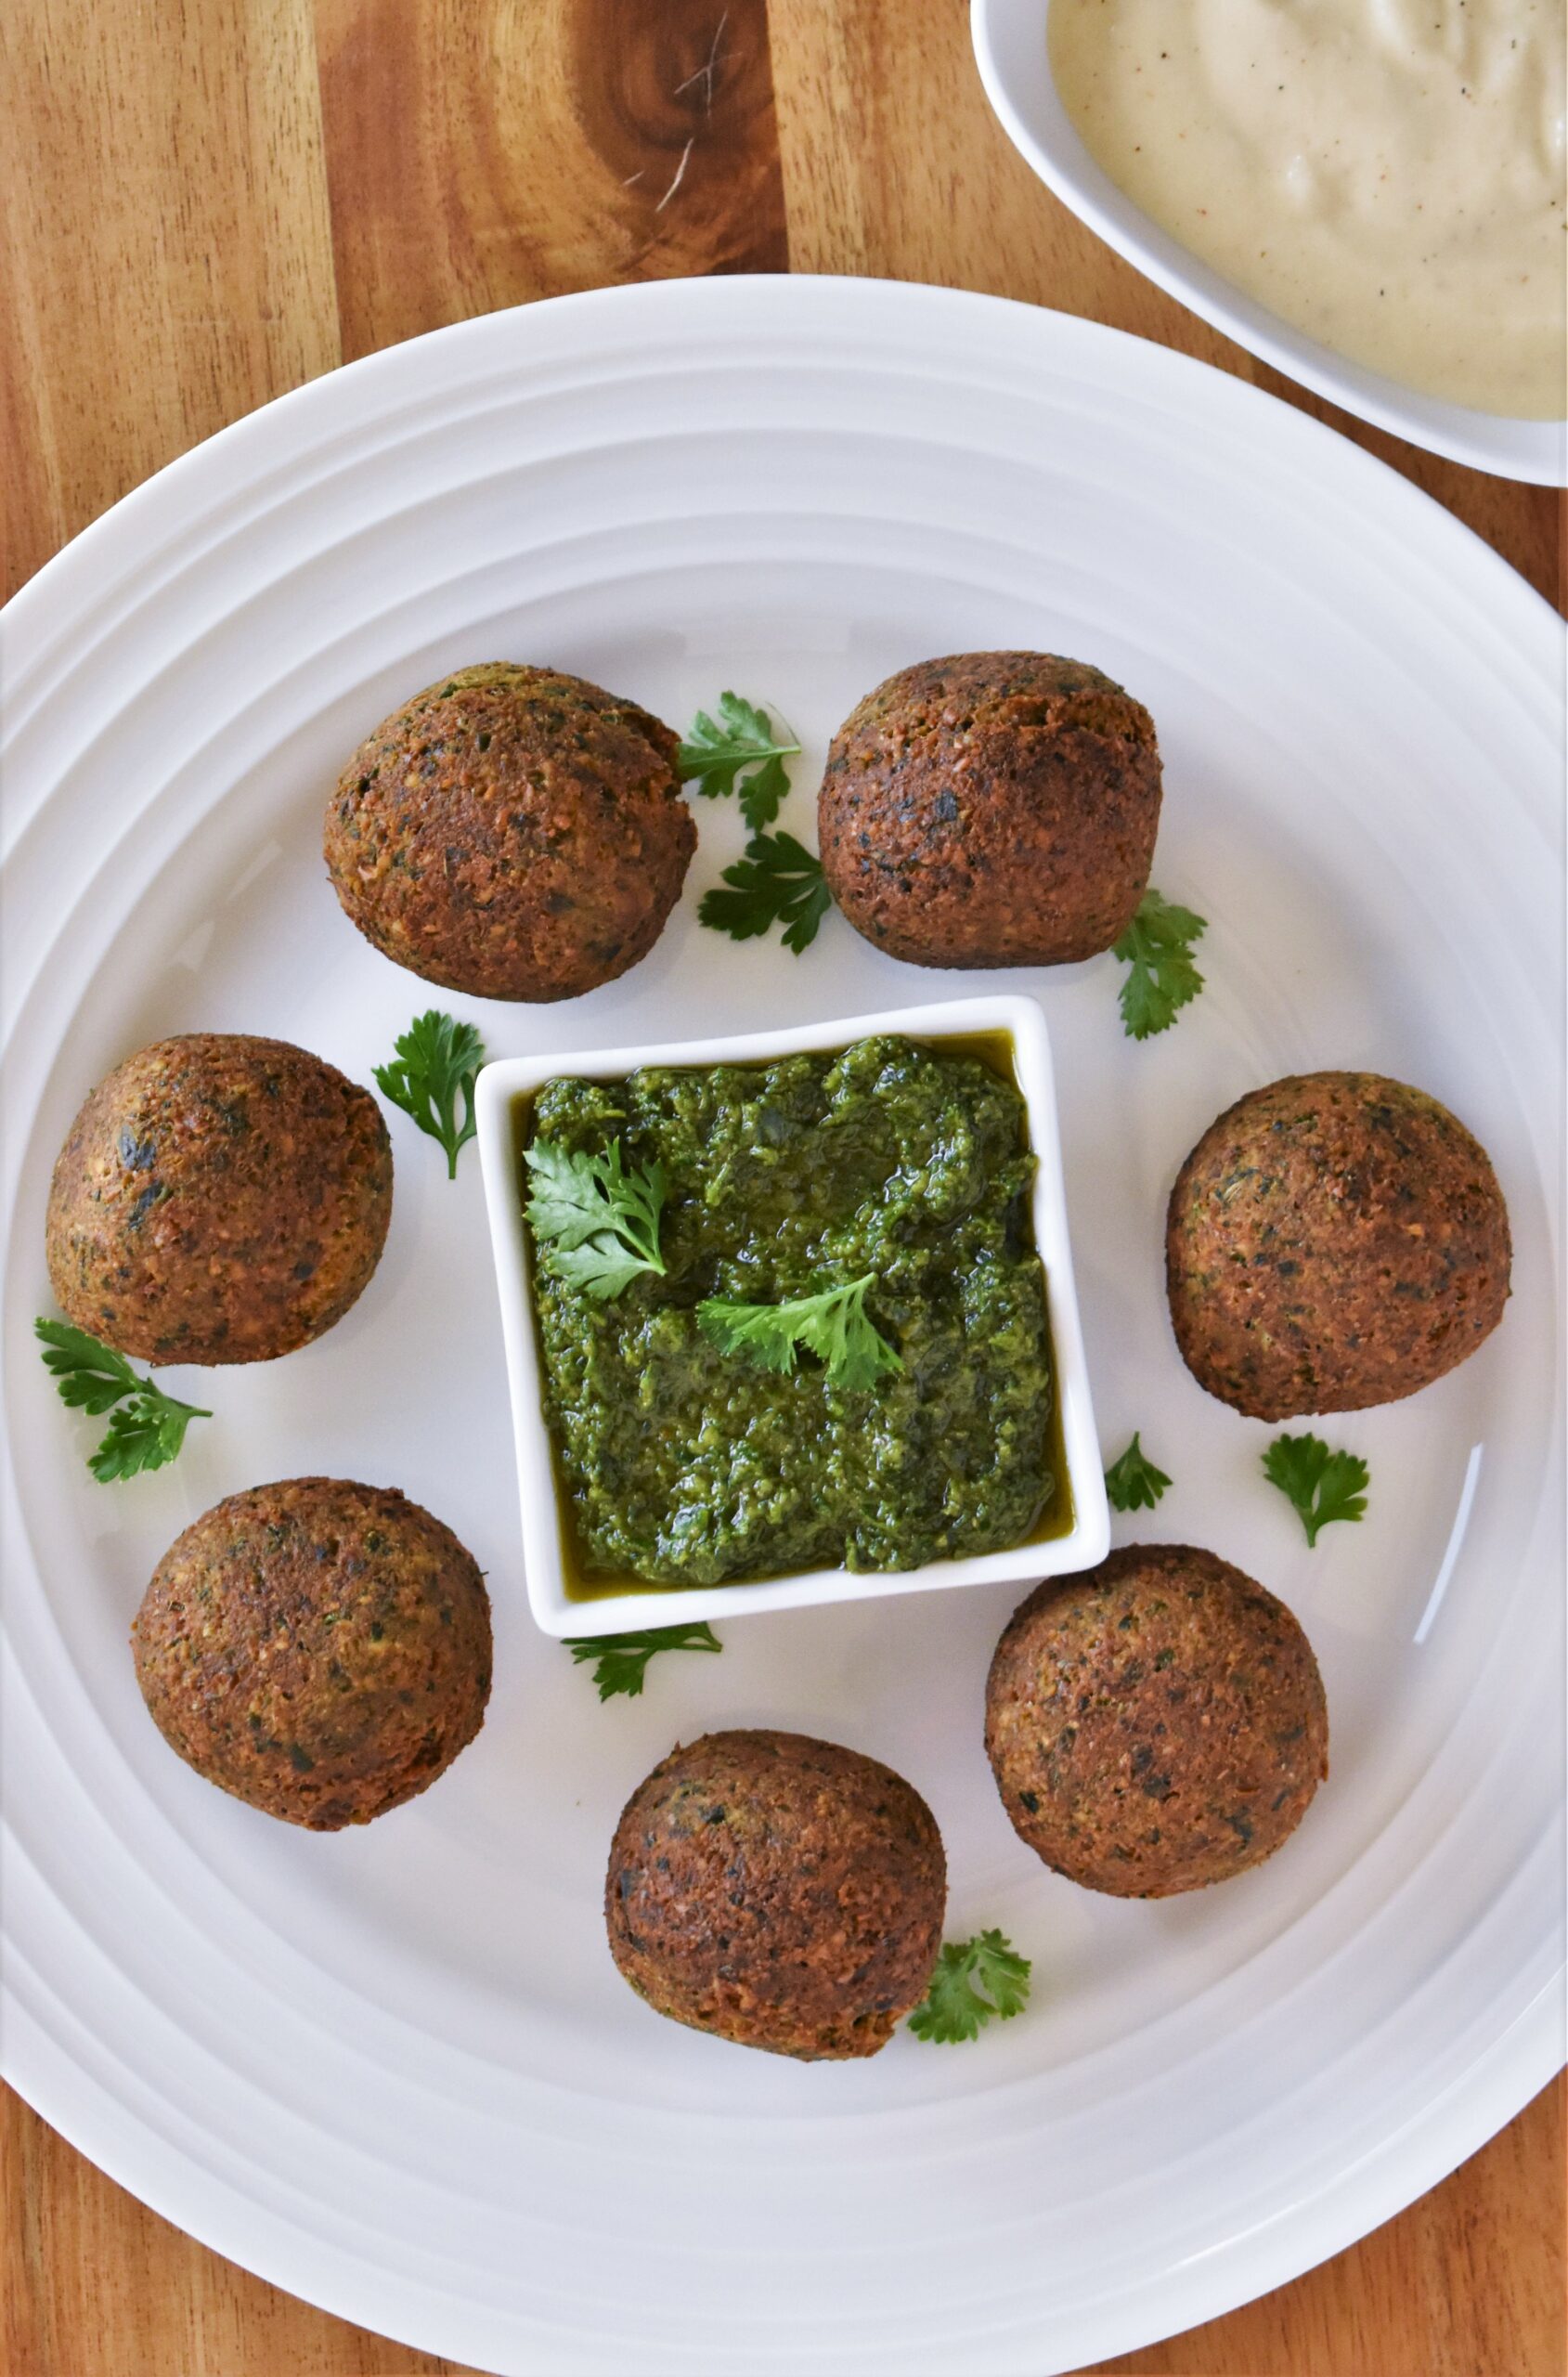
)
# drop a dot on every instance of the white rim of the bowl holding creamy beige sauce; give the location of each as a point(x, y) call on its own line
point(1016, 70)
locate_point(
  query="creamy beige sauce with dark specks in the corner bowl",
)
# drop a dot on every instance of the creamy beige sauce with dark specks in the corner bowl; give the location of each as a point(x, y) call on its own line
point(1384, 175)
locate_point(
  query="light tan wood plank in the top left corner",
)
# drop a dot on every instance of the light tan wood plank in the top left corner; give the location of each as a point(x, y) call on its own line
point(167, 256)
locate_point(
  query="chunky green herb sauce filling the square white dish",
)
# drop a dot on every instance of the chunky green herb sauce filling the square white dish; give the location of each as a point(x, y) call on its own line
point(685, 1465)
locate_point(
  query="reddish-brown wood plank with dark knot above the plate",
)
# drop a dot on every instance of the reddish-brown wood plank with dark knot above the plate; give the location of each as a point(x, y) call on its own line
point(519, 149)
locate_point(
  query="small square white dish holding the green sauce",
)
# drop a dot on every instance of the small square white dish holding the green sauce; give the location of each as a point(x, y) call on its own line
point(510, 1080)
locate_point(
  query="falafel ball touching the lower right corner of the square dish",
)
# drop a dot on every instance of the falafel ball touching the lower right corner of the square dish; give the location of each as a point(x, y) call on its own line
point(1156, 1725)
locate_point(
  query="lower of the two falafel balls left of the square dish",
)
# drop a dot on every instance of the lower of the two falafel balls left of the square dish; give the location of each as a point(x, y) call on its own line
point(317, 1648)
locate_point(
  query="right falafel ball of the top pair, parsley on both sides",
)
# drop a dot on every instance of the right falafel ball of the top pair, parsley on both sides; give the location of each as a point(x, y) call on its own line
point(992, 809)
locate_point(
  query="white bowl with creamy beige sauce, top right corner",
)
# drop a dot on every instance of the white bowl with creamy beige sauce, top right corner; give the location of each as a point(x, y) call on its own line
point(1367, 194)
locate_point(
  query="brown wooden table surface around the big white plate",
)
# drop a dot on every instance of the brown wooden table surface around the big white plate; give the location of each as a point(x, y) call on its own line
point(213, 201)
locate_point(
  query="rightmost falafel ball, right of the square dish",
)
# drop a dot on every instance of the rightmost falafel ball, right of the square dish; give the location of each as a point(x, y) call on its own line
point(1334, 1242)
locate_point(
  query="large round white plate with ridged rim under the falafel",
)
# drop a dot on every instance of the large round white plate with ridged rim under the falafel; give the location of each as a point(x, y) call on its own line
point(396, 2069)
